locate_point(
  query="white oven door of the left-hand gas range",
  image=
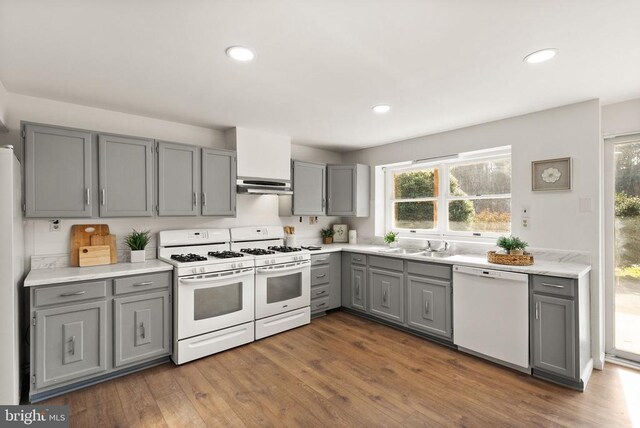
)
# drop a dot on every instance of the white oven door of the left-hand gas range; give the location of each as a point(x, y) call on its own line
point(214, 301)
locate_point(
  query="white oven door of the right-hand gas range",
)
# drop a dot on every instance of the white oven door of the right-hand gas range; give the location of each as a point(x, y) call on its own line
point(282, 288)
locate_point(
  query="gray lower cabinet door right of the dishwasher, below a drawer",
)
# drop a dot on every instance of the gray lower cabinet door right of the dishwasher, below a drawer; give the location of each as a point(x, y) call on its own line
point(554, 347)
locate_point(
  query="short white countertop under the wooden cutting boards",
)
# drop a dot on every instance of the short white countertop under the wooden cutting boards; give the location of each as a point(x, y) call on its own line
point(72, 274)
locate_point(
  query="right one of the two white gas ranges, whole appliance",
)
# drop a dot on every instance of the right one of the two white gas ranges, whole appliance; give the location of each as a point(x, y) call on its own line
point(283, 278)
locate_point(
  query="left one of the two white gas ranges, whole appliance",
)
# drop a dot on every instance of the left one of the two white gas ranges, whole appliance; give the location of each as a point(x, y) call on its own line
point(213, 288)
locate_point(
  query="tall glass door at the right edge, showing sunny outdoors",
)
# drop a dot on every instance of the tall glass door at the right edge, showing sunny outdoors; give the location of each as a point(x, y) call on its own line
point(623, 294)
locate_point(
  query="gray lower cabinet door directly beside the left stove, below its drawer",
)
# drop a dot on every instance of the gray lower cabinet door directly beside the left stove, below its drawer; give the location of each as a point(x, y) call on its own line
point(142, 328)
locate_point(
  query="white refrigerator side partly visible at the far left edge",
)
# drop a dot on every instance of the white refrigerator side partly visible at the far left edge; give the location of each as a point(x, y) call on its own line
point(11, 272)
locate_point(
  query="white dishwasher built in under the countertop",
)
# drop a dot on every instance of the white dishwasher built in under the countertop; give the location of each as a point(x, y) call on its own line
point(491, 315)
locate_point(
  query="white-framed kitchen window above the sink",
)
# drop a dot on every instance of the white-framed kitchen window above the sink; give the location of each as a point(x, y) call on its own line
point(467, 194)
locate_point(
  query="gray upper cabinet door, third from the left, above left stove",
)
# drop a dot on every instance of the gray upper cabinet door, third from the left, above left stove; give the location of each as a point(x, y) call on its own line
point(177, 180)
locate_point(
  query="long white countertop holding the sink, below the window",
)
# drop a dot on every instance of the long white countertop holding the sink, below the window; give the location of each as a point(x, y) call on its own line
point(539, 267)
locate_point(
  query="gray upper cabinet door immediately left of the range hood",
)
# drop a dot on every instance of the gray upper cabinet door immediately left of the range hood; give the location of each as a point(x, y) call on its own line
point(218, 182)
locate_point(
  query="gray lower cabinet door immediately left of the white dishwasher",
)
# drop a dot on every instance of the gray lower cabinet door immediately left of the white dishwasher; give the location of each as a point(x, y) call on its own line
point(429, 305)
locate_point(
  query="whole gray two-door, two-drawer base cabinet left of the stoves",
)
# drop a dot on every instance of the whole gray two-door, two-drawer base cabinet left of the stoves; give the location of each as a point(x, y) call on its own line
point(85, 332)
